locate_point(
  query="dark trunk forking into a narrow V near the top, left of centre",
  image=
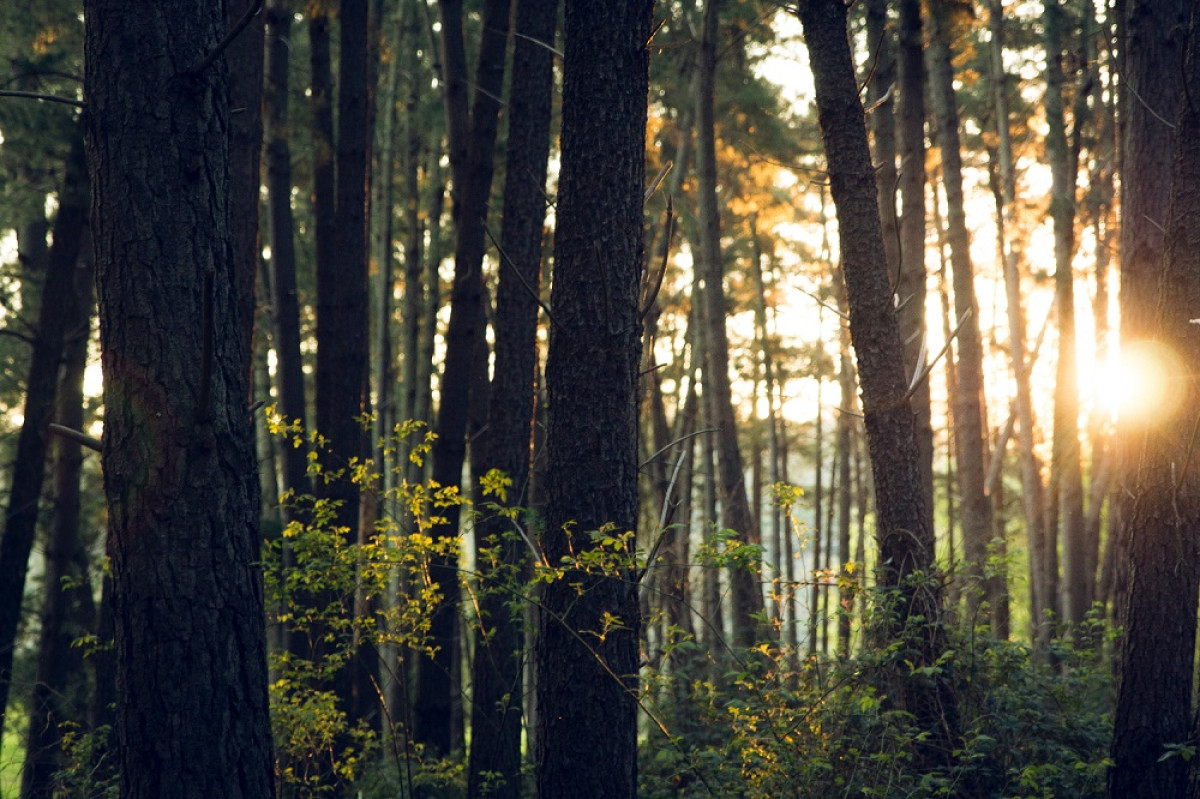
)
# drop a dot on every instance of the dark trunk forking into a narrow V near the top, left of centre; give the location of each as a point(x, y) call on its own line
point(464, 380)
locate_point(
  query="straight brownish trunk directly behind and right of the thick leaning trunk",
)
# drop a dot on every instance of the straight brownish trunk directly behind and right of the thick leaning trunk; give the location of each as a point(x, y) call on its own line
point(911, 184)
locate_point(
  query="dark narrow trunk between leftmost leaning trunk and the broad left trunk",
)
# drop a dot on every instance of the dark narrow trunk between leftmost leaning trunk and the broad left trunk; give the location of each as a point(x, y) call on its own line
point(68, 612)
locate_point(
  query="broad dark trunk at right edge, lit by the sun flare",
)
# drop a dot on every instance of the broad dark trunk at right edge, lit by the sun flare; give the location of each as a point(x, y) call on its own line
point(1160, 615)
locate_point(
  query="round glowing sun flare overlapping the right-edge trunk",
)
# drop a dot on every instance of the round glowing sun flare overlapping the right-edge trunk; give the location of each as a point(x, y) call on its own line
point(1144, 385)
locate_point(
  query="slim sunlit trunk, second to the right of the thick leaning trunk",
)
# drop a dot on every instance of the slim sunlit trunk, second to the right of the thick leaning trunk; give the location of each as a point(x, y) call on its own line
point(968, 411)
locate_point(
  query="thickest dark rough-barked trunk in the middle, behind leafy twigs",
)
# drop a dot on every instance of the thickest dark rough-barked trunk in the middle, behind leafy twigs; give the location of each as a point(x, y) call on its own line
point(587, 717)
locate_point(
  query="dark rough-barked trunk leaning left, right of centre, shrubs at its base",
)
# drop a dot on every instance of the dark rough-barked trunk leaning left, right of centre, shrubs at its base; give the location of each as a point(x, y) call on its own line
point(905, 542)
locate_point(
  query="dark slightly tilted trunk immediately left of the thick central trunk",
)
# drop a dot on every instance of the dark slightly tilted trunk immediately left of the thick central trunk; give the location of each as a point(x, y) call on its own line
point(500, 642)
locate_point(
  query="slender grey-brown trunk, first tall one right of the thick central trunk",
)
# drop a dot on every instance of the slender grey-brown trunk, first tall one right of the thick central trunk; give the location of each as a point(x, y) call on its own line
point(735, 504)
